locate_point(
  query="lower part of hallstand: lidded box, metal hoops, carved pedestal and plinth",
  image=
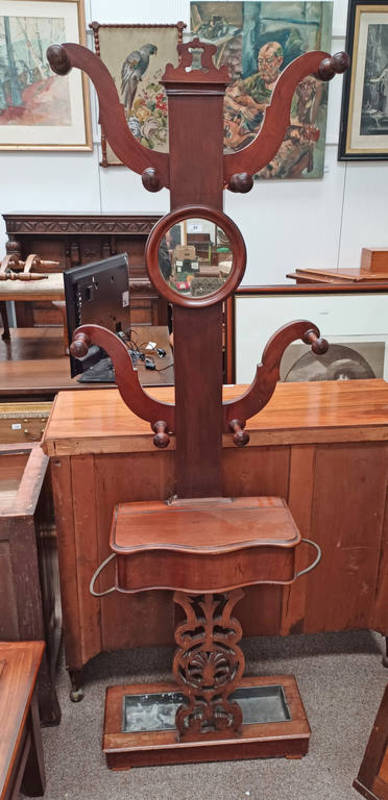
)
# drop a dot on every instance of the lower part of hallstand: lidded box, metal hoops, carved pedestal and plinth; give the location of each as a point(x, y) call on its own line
point(205, 550)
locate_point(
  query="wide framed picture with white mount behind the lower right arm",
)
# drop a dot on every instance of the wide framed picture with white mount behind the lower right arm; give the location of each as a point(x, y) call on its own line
point(353, 322)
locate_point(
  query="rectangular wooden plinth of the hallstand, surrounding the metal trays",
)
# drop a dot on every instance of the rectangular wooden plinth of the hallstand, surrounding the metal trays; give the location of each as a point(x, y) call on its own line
point(288, 738)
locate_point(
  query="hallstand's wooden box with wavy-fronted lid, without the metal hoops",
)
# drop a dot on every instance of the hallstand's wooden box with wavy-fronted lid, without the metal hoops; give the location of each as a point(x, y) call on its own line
point(173, 545)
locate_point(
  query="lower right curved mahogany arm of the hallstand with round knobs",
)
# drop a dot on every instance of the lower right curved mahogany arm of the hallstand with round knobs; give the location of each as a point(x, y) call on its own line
point(236, 412)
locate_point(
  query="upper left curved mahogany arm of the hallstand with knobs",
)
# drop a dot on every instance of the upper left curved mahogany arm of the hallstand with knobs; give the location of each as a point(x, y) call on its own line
point(112, 116)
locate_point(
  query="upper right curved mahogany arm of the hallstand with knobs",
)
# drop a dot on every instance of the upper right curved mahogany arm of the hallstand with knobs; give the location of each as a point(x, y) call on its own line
point(240, 166)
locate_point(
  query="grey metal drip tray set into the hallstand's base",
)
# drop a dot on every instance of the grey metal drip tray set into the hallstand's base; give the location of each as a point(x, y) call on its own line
point(156, 711)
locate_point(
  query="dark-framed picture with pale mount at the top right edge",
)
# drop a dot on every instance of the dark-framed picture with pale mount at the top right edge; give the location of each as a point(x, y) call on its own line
point(364, 113)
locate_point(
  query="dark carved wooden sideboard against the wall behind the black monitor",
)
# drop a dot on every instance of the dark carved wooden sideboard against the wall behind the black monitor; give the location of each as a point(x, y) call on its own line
point(74, 239)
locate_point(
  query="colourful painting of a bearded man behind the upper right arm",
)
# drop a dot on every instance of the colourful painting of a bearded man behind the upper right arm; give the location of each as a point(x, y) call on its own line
point(257, 40)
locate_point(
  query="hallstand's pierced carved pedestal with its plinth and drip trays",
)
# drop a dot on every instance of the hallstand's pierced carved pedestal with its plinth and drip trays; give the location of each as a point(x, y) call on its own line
point(195, 719)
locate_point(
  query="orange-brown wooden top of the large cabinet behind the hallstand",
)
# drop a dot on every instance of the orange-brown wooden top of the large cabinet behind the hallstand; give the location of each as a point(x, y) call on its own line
point(99, 422)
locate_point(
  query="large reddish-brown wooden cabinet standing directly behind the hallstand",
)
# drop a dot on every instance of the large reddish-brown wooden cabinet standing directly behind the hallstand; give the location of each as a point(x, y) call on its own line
point(321, 446)
